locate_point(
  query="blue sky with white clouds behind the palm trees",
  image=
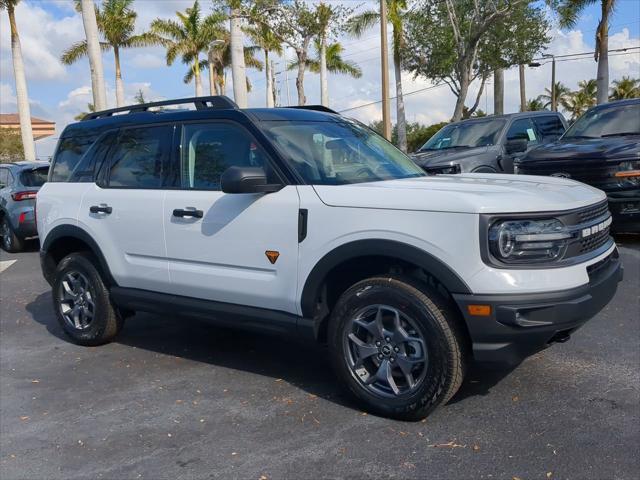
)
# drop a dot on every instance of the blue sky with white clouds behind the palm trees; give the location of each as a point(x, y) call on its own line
point(58, 92)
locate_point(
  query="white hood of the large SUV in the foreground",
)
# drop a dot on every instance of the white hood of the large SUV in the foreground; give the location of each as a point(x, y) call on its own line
point(465, 193)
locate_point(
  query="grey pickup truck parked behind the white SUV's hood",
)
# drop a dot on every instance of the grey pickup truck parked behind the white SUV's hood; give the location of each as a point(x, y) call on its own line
point(488, 144)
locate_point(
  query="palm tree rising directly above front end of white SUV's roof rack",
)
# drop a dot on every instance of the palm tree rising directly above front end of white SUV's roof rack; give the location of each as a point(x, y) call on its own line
point(188, 38)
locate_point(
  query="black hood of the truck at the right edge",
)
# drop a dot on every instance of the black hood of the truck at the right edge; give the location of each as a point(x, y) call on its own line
point(611, 149)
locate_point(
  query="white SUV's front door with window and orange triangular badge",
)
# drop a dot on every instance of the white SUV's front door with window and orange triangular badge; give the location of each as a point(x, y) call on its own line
point(233, 248)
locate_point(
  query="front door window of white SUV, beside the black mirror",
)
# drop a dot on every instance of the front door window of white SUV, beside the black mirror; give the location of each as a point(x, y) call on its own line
point(207, 150)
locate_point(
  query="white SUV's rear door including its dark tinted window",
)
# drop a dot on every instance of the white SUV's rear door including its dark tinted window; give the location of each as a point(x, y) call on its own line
point(122, 211)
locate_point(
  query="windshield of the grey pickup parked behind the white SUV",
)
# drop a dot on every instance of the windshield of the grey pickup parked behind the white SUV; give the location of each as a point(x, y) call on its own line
point(477, 133)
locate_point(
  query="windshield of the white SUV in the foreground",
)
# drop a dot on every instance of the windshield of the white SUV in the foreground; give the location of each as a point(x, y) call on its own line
point(339, 153)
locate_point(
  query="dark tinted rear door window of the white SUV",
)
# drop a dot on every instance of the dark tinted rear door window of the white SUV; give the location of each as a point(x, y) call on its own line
point(139, 158)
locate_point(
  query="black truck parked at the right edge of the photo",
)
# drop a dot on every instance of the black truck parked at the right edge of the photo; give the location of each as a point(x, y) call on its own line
point(602, 148)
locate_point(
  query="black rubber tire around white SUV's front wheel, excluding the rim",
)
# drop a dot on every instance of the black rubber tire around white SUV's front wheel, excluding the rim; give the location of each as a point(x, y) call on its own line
point(434, 320)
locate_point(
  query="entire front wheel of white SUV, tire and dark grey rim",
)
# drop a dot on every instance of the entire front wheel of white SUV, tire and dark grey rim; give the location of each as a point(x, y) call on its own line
point(396, 346)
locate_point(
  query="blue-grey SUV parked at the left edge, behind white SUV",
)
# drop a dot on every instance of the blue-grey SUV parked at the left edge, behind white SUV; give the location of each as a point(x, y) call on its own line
point(19, 184)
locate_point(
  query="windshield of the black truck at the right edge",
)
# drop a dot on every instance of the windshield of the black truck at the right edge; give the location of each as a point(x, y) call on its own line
point(607, 122)
